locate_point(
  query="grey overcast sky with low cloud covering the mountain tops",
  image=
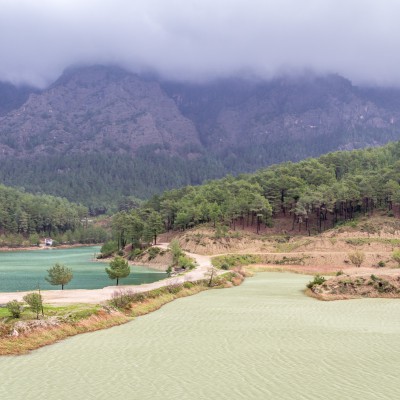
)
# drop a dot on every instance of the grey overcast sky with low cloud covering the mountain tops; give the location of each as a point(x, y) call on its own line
point(201, 39)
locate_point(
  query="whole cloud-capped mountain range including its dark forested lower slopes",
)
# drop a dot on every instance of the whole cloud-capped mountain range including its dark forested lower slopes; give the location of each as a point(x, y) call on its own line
point(99, 133)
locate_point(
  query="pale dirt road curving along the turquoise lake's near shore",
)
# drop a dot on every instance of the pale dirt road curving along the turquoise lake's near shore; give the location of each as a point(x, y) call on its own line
point(95, 296)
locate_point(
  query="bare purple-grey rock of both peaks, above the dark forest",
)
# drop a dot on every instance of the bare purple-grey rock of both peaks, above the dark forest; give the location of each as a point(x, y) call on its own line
point(102, 109)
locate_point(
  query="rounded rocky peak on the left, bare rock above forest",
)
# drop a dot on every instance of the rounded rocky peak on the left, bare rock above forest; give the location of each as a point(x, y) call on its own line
point(96, 110)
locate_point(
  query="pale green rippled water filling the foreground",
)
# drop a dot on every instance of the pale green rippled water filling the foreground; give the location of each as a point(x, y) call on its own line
point(262, 340)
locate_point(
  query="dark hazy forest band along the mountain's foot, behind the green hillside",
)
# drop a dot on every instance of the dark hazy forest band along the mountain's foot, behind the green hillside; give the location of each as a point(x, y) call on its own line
point(100, 180)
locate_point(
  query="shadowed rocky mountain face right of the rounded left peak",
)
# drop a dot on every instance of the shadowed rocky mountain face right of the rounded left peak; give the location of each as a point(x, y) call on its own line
point(327, 112)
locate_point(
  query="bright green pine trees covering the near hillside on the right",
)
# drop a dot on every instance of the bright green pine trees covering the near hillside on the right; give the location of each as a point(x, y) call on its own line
point(314, 193)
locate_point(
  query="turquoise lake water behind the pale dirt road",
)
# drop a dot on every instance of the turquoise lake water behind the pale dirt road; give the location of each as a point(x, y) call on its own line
point(25, 270)
